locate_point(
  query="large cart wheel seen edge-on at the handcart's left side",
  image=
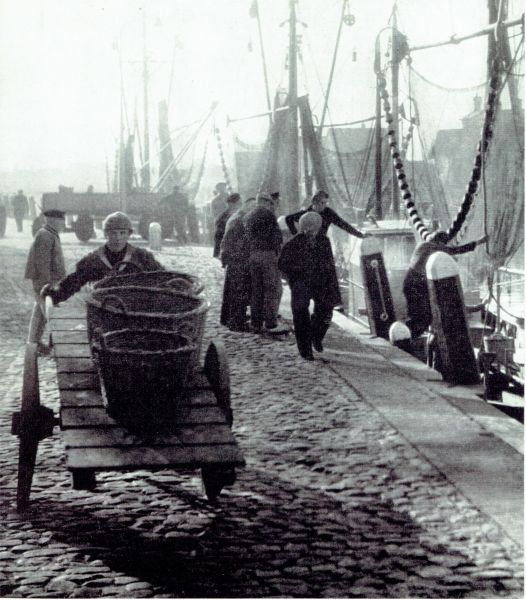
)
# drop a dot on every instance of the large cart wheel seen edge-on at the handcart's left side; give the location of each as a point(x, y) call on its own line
point(28, 432)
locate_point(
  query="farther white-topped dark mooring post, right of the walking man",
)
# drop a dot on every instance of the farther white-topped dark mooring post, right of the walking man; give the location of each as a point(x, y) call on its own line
point(377, 292)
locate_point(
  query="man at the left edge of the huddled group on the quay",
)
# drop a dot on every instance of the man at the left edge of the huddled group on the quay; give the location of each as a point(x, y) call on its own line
point(234, 257)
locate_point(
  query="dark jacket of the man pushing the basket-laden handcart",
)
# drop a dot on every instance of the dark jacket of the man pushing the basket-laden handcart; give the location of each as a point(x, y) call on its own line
point(99, 264)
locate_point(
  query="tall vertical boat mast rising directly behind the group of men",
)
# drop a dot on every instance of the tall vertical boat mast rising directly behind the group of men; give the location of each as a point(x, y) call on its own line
point(293, 175)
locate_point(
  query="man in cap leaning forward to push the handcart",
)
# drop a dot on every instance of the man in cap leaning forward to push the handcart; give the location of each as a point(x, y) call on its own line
point(115, 255)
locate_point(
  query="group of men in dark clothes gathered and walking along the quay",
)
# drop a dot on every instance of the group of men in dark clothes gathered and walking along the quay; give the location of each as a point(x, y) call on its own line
point(250, 245)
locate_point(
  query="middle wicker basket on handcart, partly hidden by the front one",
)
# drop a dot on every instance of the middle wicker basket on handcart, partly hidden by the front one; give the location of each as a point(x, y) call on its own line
point(134, 307)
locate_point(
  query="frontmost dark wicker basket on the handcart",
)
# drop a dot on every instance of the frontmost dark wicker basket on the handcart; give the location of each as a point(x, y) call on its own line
point(141, 370)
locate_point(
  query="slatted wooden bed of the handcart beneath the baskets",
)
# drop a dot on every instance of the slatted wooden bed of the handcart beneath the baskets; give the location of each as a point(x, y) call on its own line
point(200, 437)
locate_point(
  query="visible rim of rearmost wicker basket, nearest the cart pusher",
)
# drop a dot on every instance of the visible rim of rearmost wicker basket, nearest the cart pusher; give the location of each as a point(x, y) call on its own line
point(179, 282)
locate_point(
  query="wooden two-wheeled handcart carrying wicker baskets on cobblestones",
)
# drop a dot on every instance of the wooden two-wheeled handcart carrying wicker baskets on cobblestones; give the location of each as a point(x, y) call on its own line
point(200, 436)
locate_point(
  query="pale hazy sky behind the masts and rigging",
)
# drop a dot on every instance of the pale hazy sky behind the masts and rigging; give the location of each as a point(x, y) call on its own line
point(59, 74)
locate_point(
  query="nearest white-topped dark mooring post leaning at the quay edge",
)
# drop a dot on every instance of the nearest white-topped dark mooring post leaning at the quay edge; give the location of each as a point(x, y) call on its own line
point(450, 328)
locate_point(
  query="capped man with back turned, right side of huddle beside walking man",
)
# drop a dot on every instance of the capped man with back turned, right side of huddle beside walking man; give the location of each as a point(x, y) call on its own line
point(264, 242)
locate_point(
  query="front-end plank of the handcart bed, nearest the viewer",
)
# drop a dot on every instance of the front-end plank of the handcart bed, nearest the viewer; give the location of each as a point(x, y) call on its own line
point(126, 458)
